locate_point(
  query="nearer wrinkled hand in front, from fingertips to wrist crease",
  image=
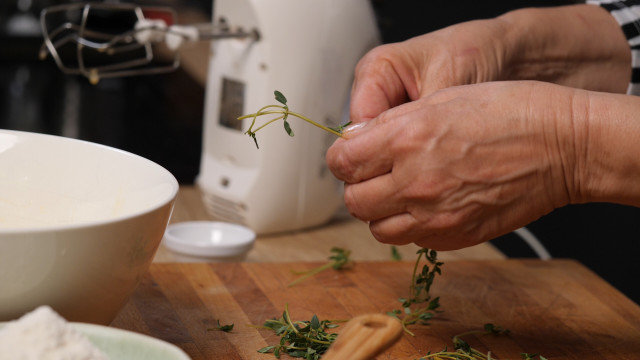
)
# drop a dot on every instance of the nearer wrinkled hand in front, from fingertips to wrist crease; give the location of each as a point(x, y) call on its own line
point(464, 164)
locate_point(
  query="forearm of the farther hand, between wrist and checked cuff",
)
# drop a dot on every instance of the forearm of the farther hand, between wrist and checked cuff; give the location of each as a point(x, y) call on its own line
point(580, 46)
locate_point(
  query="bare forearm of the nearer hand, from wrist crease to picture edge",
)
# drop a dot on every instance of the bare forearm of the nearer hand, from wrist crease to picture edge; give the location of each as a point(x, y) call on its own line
point(608, 165)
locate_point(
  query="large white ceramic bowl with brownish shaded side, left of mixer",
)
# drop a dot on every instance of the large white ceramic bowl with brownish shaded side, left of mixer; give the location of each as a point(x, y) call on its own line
point(79, 225)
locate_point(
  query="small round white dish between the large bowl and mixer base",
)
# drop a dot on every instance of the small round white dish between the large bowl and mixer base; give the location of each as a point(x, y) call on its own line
point(209, 239)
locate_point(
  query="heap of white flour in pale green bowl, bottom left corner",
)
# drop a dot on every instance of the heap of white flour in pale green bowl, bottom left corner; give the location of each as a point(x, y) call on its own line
point(44, 335)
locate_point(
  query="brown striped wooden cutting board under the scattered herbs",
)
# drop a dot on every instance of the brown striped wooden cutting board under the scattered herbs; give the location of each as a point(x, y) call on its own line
point(557, 308)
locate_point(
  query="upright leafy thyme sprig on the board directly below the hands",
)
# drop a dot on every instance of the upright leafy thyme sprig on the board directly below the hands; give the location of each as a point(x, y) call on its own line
point(420, 307)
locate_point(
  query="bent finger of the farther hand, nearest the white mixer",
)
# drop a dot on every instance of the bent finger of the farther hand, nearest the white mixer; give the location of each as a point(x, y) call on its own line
point(378, 85)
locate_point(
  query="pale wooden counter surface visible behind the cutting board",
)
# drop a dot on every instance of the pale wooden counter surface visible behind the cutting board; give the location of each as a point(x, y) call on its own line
point(312, 244)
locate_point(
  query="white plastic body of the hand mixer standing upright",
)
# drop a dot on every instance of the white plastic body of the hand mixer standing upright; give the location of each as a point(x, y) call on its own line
point(308, 50)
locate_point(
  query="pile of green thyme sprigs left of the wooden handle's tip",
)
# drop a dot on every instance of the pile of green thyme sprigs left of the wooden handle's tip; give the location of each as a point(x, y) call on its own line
point(300, 339)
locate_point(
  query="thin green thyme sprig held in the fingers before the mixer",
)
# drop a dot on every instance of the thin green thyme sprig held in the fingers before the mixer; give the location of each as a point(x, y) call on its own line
point(282, 112)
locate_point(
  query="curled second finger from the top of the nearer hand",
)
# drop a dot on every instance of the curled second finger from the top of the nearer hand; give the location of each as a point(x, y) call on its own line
point(374, 199)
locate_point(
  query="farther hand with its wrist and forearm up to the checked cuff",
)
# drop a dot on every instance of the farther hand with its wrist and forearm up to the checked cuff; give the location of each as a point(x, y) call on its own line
point(580, 46)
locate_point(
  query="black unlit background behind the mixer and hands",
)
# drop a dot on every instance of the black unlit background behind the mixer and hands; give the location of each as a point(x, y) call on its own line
point(160, 117)
